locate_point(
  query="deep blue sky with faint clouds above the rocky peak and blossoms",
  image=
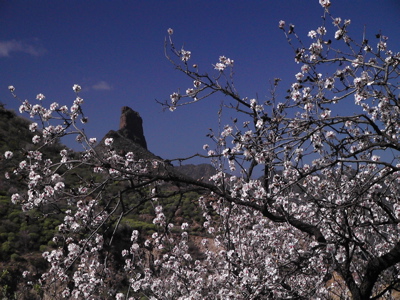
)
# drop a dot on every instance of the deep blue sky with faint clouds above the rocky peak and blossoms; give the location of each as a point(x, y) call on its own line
point(114, 50)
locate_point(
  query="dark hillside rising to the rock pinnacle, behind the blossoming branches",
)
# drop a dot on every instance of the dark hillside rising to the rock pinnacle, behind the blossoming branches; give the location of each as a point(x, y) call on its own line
point(25, 235)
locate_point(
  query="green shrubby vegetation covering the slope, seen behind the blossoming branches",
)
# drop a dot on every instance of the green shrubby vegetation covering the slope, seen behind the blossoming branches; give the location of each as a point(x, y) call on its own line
point(24, 236)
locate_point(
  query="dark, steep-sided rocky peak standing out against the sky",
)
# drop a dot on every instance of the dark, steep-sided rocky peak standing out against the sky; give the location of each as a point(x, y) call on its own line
point(131, 126)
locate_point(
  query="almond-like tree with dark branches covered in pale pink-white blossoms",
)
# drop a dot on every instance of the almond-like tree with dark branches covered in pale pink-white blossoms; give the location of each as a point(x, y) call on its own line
point(321, 223)
